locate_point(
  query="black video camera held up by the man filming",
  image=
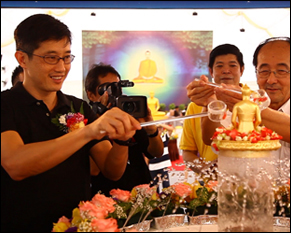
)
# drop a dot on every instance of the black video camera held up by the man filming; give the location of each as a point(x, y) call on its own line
point(133, 105)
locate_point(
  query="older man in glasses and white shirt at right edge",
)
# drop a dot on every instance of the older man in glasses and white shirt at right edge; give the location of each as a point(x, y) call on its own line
point(272, 64)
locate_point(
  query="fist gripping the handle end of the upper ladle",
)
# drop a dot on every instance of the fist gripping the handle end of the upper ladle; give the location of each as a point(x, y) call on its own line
point(200, 93)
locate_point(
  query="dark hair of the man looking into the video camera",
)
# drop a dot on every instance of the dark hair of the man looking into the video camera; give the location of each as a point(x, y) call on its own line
point(97, 71)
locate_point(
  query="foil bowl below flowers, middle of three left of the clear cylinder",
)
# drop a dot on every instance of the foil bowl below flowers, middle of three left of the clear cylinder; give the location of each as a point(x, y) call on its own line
point(169, 221)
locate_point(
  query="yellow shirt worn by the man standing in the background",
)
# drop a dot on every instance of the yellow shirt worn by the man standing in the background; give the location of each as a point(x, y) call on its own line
point(191, 138)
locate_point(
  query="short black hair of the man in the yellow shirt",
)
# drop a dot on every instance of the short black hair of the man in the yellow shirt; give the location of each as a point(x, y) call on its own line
point(223, 50)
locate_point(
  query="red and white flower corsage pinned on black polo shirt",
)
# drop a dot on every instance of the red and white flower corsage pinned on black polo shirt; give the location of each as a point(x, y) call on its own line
point(70, 121)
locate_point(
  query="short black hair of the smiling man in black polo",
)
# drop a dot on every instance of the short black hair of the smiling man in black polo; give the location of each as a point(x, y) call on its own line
point(35, 29)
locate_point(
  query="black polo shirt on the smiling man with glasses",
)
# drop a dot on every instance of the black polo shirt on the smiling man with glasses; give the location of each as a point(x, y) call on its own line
point(34, 203)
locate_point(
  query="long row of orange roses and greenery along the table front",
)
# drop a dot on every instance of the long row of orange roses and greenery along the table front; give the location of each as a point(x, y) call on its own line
point(124, 208)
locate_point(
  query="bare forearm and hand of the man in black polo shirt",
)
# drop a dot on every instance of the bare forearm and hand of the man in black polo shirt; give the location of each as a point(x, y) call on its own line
point(24, 160)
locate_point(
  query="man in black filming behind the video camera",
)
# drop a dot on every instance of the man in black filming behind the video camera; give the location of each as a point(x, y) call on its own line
point(146, 142)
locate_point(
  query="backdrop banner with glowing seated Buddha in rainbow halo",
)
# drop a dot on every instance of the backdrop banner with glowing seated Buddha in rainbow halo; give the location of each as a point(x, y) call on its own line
point(160, 61)
